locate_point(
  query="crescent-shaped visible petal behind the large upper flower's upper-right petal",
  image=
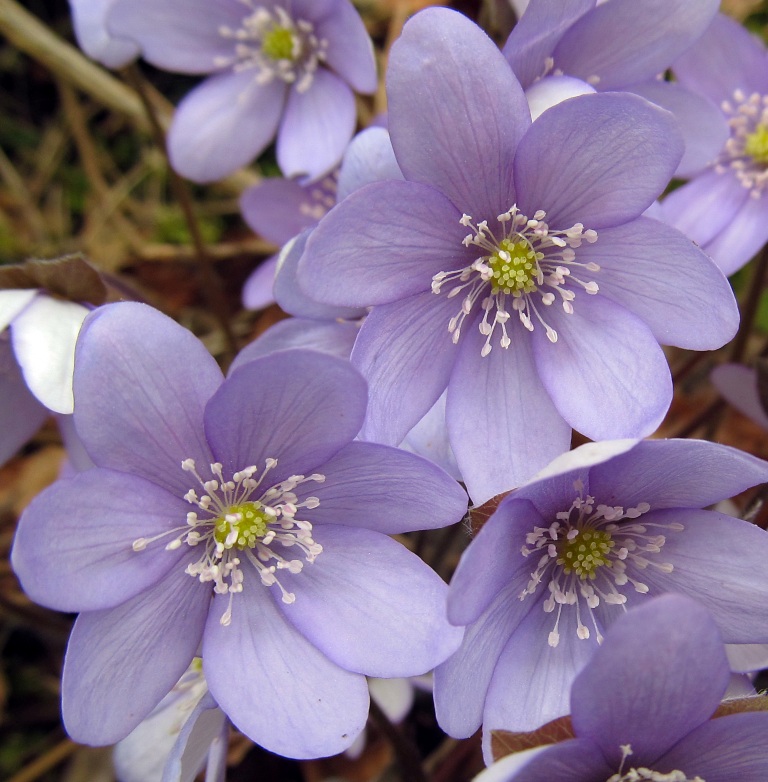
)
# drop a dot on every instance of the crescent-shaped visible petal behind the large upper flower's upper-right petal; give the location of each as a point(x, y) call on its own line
point(702, 123)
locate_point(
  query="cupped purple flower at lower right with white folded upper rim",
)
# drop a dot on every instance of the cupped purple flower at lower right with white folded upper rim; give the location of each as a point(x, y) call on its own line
point(564, 556)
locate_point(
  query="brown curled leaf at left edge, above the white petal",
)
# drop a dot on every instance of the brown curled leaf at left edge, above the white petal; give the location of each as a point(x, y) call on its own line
point(70, 277)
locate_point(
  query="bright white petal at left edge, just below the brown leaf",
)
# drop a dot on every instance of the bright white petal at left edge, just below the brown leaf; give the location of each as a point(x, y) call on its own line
point(44, 337)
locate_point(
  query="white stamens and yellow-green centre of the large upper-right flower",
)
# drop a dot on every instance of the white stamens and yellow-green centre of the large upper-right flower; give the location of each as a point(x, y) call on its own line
point(527, 263)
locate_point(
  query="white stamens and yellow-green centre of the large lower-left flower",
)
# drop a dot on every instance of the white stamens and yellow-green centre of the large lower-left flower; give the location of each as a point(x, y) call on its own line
point(233, 524)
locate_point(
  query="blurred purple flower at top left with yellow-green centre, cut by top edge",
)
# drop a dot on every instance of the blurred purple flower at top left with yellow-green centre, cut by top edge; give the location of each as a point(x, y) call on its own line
point(278, 67)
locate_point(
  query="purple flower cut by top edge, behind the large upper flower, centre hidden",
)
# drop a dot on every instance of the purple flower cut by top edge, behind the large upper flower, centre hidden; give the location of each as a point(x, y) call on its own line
point(562, 48)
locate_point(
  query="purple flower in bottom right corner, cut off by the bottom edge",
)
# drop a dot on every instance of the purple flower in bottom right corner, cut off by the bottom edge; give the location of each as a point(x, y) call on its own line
point(641, 709)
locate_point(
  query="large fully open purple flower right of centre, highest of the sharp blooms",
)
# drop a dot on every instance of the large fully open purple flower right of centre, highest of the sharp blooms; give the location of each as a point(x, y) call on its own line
point(512, 265)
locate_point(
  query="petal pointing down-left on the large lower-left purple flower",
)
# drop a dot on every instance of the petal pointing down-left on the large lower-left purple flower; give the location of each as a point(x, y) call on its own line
point(121, 662)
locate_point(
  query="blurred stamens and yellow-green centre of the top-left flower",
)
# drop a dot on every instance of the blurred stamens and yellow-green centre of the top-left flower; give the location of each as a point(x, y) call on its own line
point(275, 46)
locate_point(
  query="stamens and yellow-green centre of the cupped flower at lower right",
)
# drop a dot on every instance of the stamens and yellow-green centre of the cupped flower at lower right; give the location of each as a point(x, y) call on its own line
point(588, 554)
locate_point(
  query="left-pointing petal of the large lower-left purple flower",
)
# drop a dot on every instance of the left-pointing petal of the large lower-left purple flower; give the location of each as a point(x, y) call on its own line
point(73, 548)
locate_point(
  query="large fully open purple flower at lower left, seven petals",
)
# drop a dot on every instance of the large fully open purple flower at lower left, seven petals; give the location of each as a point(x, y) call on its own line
point(239, 518)
